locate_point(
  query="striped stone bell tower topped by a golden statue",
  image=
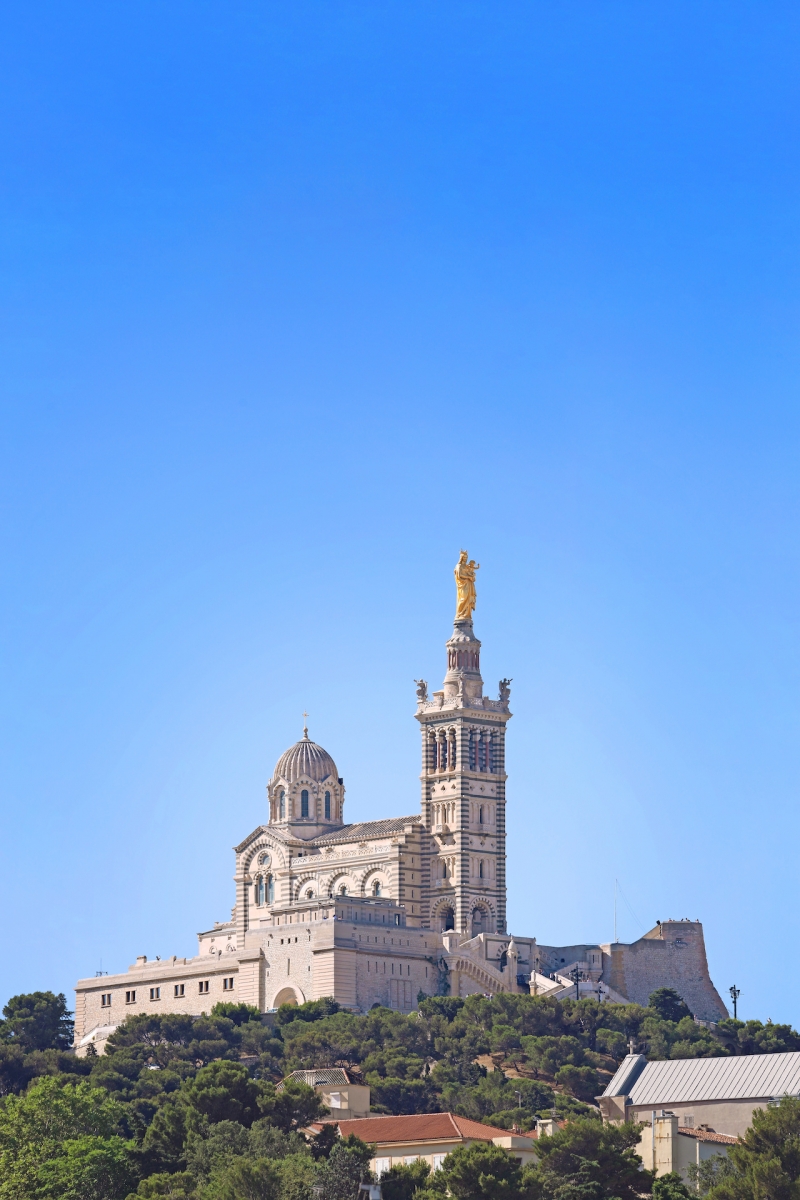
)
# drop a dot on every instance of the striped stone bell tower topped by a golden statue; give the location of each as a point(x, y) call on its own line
point(464, 783)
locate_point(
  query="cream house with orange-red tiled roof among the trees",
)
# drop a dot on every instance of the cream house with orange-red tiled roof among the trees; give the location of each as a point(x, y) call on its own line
point(431, 1136)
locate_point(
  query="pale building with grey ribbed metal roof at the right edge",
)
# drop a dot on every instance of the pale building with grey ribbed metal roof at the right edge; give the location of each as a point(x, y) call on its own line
point(707, 1095)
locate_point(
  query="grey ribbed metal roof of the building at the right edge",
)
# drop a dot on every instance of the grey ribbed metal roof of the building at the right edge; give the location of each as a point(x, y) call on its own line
point(751, 1077)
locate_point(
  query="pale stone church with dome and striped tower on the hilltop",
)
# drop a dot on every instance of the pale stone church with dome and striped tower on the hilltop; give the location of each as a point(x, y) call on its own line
point(382, 913)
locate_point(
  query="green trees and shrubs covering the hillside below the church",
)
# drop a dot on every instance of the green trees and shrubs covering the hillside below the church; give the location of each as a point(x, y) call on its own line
point(189, 1108)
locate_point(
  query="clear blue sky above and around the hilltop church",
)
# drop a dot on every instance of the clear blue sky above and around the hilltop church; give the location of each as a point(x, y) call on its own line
point(299, 299)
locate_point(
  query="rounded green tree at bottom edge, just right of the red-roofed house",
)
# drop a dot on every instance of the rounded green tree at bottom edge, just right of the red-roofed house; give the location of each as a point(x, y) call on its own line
point(590, 1159)
